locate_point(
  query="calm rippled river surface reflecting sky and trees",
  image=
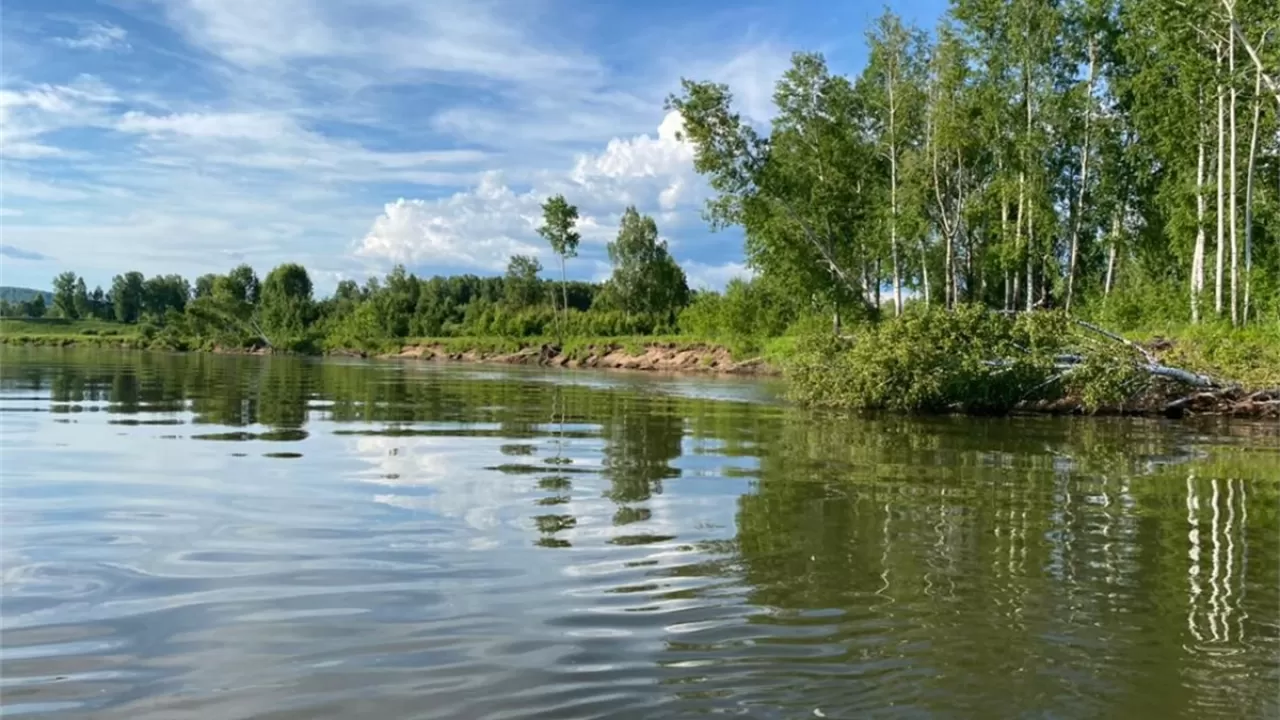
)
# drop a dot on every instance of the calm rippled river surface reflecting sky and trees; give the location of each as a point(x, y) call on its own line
point(246, 537)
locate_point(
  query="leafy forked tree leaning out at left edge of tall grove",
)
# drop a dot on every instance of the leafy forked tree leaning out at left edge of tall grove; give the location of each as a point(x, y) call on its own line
point(801, 195)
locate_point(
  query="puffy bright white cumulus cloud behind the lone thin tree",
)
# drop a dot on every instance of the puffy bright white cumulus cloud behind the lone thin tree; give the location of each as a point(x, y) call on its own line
point(482, 227)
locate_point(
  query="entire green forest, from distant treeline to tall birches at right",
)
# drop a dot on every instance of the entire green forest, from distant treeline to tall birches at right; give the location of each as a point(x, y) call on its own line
point(1110, 162)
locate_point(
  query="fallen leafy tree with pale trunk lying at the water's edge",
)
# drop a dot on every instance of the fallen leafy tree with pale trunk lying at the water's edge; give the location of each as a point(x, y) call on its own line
point(976, 361)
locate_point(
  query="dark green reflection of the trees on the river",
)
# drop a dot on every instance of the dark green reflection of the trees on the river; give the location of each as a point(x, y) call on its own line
point(1108, 537)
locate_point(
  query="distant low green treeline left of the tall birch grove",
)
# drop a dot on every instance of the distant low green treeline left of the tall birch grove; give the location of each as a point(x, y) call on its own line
point(647, 294)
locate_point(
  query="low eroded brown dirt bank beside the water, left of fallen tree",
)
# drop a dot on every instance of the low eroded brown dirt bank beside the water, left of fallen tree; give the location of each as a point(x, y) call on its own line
point(655, 358)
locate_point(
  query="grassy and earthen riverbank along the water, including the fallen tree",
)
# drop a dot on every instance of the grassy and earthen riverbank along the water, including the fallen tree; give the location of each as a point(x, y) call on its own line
point(945, 364)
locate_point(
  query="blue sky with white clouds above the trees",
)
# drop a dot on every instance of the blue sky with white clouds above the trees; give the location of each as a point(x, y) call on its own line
point(190, 136)
